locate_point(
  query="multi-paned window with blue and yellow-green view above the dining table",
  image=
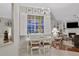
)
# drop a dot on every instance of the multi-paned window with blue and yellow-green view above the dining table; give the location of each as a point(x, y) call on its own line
point(35, 24)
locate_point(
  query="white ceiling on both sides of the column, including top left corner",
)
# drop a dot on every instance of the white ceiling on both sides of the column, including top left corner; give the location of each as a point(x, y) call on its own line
point(61, 11)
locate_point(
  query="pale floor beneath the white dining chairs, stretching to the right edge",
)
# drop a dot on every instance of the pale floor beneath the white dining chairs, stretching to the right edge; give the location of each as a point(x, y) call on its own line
point(50, 52)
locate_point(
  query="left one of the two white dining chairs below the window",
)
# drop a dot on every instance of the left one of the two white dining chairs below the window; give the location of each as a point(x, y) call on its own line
point(35, 45)
